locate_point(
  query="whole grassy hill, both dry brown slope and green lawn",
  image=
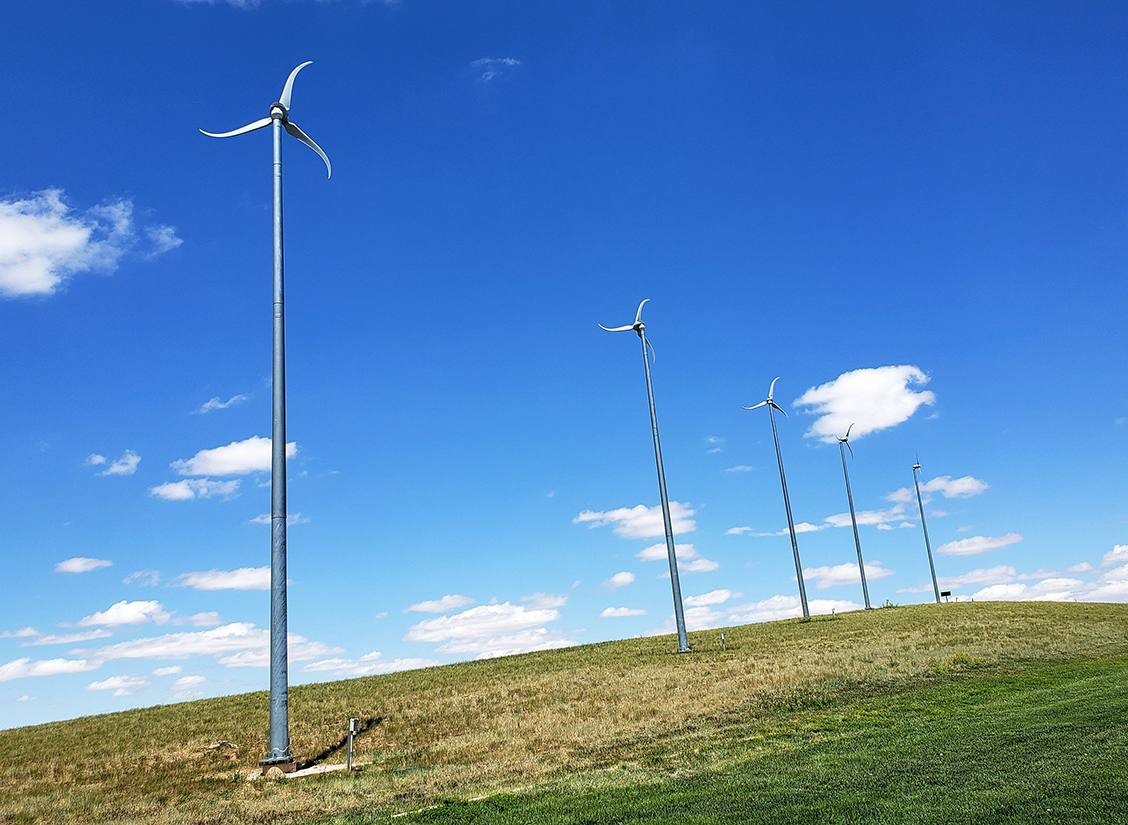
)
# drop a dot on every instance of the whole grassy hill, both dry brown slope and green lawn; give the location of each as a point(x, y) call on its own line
point(997, 712)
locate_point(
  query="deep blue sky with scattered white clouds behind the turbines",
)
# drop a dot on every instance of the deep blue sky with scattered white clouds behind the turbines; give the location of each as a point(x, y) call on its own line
point(916, 216)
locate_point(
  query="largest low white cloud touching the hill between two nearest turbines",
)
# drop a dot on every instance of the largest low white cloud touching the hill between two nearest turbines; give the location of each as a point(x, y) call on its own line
point(491, 630)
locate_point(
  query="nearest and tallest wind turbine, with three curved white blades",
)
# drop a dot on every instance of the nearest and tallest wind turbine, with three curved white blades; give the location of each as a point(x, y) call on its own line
point(280, 754)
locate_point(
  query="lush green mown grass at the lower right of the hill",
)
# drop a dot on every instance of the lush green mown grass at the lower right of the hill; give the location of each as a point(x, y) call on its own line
point(1042, 744)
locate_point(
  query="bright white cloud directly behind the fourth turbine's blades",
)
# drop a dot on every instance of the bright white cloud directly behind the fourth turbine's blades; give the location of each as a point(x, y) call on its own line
point(871, 400)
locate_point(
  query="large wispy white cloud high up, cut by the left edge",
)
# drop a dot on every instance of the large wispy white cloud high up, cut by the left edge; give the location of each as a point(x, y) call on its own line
point(45, 243)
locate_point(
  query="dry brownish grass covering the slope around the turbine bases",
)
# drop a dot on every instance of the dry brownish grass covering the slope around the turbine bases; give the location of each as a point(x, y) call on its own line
point(481, 727)
